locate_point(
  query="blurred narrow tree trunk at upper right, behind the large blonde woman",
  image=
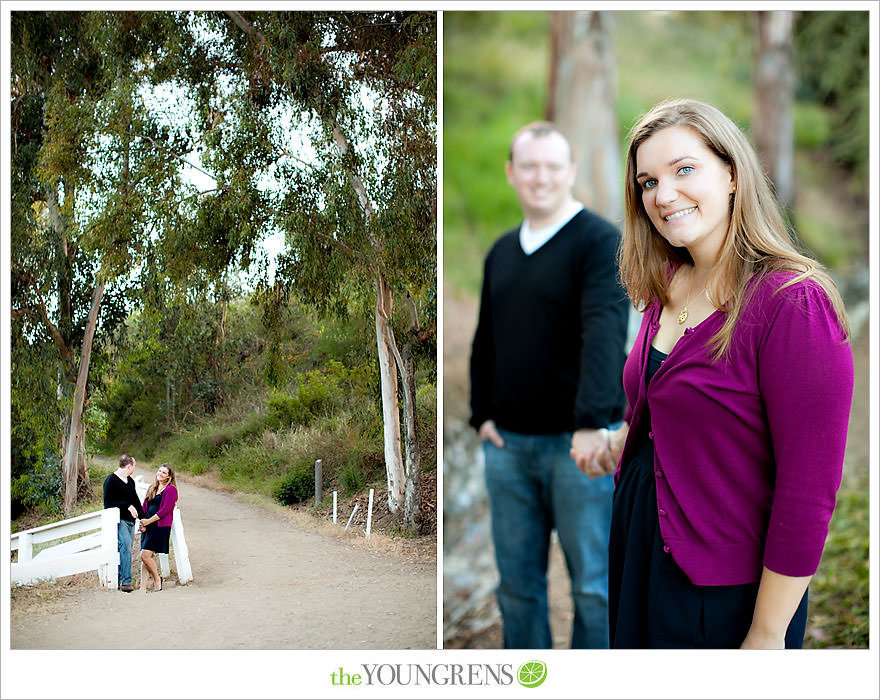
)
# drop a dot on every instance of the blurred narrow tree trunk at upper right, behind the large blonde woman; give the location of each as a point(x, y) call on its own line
point(773, 124)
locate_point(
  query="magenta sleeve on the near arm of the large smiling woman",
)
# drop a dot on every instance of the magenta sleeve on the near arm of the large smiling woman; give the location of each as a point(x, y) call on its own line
point(806, 383)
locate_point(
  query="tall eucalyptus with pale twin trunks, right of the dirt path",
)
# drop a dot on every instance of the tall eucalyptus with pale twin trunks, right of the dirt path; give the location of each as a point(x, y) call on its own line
point(356, 196)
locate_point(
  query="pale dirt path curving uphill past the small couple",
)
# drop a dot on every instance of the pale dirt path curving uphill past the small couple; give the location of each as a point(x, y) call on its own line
point(260, 582)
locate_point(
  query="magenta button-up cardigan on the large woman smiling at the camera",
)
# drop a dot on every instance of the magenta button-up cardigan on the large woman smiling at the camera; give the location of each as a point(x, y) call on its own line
point(748, 450)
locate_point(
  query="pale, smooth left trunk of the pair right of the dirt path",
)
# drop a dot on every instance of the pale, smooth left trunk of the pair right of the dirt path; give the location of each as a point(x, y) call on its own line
point(394, 467)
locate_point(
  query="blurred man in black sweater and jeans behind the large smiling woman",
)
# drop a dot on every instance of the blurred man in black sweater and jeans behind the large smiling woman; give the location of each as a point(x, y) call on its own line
point(546, 367)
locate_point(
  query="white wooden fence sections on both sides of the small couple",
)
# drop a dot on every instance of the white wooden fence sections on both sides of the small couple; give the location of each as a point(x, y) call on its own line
point(95, 550)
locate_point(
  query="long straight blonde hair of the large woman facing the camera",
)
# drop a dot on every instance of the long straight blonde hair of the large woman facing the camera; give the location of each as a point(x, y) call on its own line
point(757, 241)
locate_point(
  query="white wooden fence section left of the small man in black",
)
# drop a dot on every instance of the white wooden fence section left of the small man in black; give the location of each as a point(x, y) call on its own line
point(91, 552)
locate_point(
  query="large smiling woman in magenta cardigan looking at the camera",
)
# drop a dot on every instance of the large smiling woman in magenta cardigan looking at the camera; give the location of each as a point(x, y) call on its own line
point(739, 388)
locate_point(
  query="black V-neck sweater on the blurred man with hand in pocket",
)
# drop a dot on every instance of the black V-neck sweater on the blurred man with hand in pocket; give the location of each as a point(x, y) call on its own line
point(548, 352)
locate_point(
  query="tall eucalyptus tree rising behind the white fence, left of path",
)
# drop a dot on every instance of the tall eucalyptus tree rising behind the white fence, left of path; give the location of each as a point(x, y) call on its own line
point(90, 189)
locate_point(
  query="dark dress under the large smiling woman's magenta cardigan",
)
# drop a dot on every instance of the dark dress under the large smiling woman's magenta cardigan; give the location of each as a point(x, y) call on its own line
point(651, 601)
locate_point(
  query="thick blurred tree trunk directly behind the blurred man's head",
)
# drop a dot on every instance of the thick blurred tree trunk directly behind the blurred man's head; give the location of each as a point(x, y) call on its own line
point(583, 103)
